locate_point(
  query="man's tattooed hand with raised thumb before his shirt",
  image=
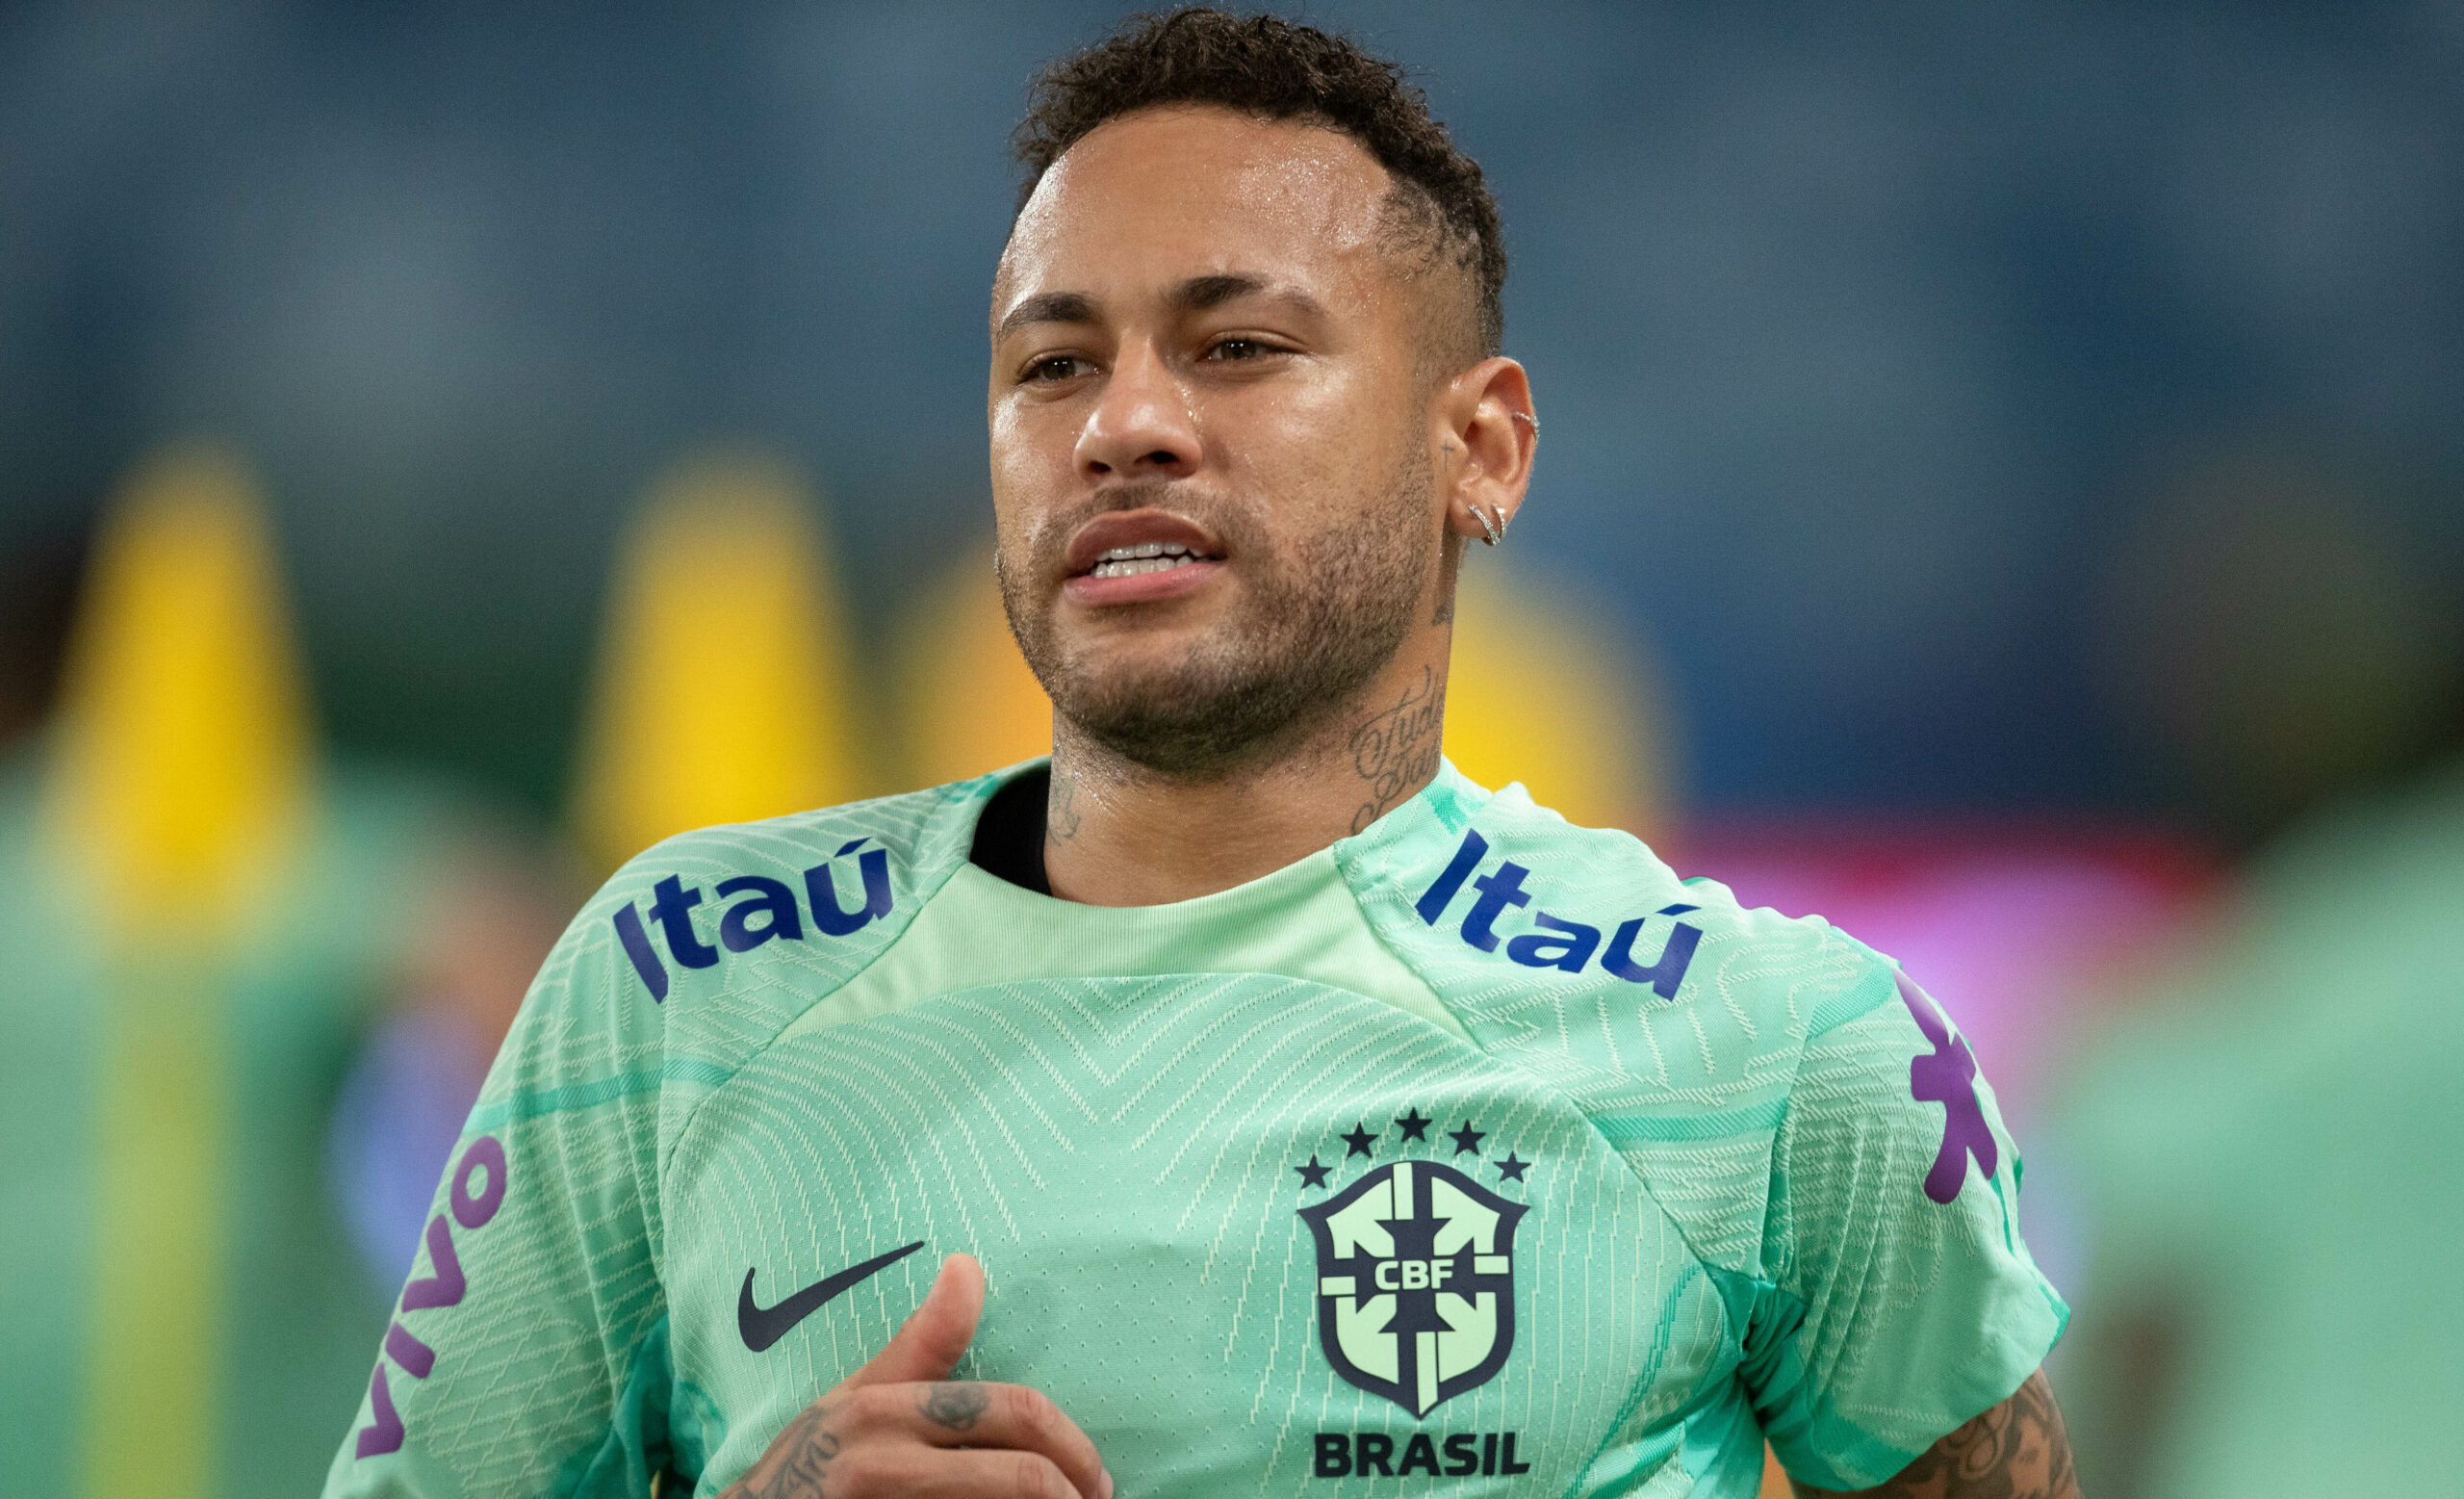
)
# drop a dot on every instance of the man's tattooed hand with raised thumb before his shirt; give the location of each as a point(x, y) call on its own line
point(903, 1426)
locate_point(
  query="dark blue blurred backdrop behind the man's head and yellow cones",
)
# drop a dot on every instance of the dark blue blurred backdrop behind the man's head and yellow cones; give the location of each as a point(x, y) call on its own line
point(1876, 346)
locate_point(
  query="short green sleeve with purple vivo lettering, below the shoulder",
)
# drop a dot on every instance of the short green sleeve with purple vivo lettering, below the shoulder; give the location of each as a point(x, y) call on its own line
point(526, 1352)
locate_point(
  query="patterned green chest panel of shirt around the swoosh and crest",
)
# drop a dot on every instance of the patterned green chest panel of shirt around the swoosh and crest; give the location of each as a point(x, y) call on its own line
point(1120, 1158)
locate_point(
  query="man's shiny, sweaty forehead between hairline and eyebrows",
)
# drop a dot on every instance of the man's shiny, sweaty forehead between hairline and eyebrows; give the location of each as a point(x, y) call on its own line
point(1169, 194)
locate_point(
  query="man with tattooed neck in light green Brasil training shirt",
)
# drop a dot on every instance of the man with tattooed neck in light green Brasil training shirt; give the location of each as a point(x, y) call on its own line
point(1283, 1111)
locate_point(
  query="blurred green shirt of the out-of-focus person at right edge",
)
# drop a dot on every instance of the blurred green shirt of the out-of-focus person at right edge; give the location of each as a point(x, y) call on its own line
point(2273, 1170)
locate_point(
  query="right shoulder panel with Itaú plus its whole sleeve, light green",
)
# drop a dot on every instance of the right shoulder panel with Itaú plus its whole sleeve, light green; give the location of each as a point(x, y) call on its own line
point(1768, 1106)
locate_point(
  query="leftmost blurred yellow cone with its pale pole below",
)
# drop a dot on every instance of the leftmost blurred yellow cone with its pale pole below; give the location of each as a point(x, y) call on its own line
point(179, 790)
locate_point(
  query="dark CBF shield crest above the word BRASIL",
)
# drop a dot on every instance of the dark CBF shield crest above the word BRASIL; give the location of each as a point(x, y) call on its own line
point(1416, 1281)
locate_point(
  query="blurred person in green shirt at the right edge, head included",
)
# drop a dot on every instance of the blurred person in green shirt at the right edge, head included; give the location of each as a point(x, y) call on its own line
point(2268, 1145)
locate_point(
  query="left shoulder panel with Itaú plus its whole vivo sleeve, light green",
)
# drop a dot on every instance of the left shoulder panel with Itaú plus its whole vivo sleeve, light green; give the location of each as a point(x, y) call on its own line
point(546, 1335)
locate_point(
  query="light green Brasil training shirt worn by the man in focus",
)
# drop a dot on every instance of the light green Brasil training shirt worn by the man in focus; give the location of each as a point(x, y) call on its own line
point(1472, 1153)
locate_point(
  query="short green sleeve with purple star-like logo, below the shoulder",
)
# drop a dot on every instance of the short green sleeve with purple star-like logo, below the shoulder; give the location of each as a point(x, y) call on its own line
point(1903, 1301)
